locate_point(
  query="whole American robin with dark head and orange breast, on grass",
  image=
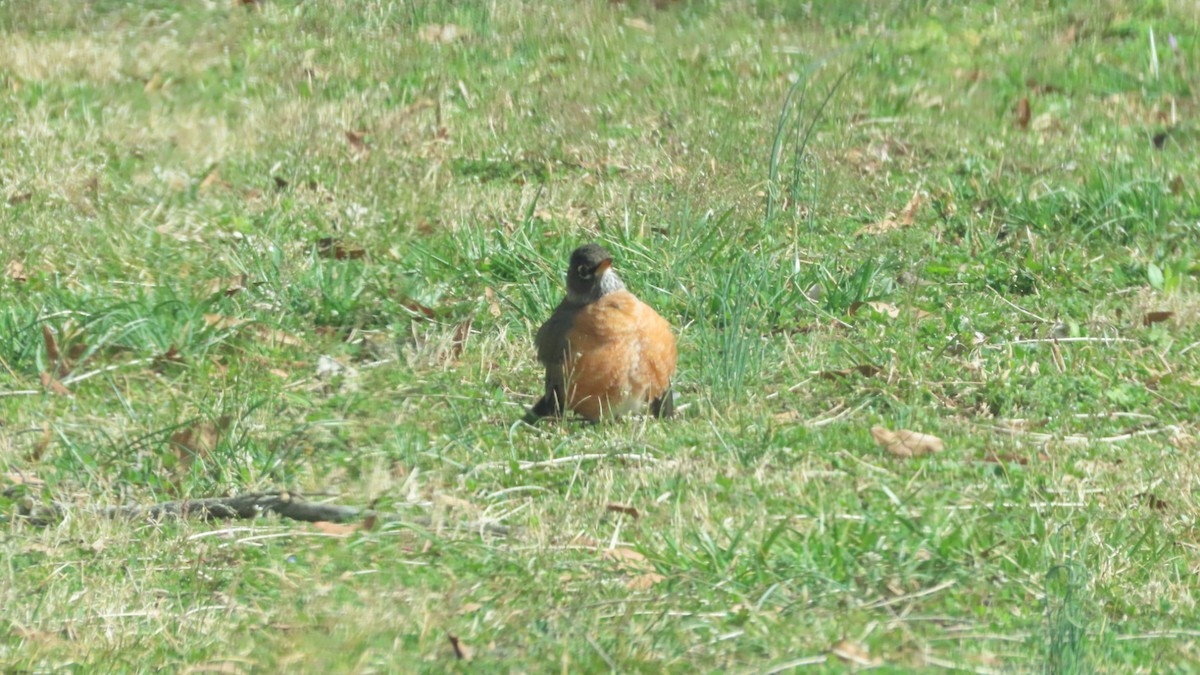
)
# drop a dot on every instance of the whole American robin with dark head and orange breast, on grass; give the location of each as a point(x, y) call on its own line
point(607, 354)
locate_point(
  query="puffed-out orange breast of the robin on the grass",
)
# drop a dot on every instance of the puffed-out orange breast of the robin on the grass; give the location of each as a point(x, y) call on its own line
point(621, 357)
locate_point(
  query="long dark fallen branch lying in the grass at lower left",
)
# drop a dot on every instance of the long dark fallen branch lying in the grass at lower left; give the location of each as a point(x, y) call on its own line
point(250, 506)
